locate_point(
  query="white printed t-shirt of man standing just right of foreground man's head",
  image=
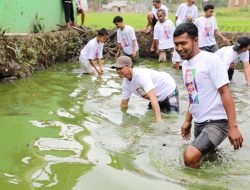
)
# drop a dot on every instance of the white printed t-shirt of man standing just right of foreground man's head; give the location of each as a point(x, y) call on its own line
point(206, 28)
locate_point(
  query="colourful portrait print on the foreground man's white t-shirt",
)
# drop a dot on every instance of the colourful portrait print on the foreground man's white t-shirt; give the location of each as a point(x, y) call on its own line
point(191, 86)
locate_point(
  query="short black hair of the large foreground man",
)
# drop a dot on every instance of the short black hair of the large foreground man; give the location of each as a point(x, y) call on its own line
point(189, 28)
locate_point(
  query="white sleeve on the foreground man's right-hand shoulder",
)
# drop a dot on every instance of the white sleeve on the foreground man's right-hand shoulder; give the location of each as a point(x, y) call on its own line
point(218, 72)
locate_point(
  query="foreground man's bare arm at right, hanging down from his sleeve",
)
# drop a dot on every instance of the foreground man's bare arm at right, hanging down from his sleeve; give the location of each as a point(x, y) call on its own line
point(234, 133)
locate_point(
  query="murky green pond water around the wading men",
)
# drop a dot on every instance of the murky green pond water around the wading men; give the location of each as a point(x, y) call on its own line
point(60, 129)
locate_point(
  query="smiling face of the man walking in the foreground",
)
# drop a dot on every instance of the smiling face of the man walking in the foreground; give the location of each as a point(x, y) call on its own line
point(185, 45)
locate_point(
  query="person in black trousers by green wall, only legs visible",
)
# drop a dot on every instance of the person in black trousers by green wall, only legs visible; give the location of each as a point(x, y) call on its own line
point(69, 13)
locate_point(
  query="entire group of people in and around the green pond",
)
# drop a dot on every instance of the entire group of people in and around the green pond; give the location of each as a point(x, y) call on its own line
point(190, 43)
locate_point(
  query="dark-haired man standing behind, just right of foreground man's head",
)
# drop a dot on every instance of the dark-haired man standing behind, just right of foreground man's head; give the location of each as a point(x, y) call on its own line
point(208, 29)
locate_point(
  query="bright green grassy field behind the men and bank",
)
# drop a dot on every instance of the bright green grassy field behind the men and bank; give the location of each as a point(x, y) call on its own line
point(229, 19)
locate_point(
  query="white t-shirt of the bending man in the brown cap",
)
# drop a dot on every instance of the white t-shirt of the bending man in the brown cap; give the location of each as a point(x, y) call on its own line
point(144, 80)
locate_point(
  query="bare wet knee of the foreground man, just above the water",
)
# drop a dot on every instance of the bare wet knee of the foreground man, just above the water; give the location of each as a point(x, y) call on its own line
point(192, 157)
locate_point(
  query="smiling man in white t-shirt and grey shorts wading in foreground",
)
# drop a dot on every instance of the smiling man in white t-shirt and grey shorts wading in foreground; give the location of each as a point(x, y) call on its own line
point(211, 104)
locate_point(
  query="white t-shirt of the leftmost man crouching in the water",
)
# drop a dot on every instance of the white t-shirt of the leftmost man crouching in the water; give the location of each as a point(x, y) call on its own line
point(93, 50)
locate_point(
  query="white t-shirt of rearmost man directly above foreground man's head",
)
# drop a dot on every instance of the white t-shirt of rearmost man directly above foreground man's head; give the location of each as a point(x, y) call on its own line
point(183, 11)
